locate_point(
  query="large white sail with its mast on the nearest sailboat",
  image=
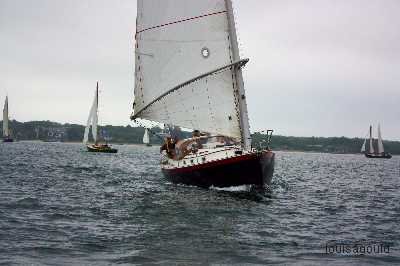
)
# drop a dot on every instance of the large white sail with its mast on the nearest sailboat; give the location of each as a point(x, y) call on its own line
point(187, 69)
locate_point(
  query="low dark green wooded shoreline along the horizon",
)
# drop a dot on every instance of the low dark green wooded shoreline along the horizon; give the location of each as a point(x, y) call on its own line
point(45, 130)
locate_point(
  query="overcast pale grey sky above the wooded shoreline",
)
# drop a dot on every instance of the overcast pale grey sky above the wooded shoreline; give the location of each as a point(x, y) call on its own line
point(317, 67)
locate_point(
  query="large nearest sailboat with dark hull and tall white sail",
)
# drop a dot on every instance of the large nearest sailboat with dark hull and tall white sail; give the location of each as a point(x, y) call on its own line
point(188, 73)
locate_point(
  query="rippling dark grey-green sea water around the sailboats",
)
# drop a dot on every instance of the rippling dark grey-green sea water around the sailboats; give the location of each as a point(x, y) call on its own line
point(60, 205)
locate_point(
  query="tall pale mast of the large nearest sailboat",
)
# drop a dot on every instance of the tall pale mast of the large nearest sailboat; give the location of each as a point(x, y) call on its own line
point(243, 116)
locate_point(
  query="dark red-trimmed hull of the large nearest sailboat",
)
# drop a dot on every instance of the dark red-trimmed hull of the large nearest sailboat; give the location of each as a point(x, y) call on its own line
point(251, 169)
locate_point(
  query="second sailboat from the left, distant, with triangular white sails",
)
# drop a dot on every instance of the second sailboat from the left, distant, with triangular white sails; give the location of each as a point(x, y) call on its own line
point(92, 121)
